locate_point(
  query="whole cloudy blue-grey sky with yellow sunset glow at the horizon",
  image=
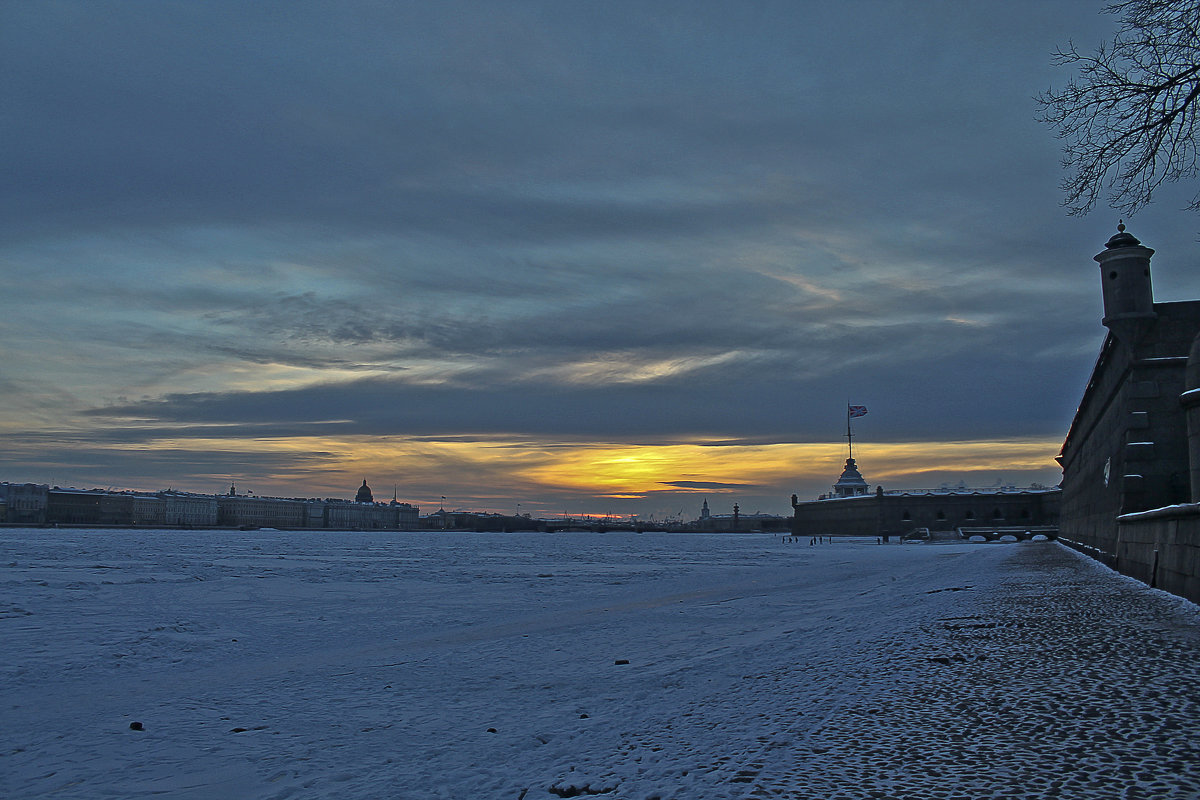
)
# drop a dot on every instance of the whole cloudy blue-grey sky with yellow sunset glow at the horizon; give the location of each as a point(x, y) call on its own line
point(551, 257)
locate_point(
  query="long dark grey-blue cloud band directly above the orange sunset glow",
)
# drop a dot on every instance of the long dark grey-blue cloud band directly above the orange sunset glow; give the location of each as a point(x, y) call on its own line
point(961, 396)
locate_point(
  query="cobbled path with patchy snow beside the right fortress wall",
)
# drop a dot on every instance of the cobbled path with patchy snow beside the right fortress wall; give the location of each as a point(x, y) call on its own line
point(1065, 682)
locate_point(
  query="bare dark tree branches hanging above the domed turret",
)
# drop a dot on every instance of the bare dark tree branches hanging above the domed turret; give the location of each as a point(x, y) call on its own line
point(1130, 117)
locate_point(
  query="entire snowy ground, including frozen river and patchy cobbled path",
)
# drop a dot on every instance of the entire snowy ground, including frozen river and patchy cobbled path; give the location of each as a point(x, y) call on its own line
point(430, 665)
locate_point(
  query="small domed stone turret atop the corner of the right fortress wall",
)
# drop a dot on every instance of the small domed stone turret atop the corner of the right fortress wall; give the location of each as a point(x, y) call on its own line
point(1129, 296)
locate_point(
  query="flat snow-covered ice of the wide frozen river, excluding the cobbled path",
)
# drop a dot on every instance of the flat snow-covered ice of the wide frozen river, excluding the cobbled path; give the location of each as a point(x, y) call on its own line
point(433, 665)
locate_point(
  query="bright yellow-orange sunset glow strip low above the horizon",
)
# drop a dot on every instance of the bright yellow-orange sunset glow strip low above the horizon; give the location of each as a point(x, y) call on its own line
point(557, 473)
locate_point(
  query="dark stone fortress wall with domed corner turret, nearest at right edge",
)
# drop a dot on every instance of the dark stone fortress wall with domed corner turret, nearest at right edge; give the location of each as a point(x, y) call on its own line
point(1131, 460)
